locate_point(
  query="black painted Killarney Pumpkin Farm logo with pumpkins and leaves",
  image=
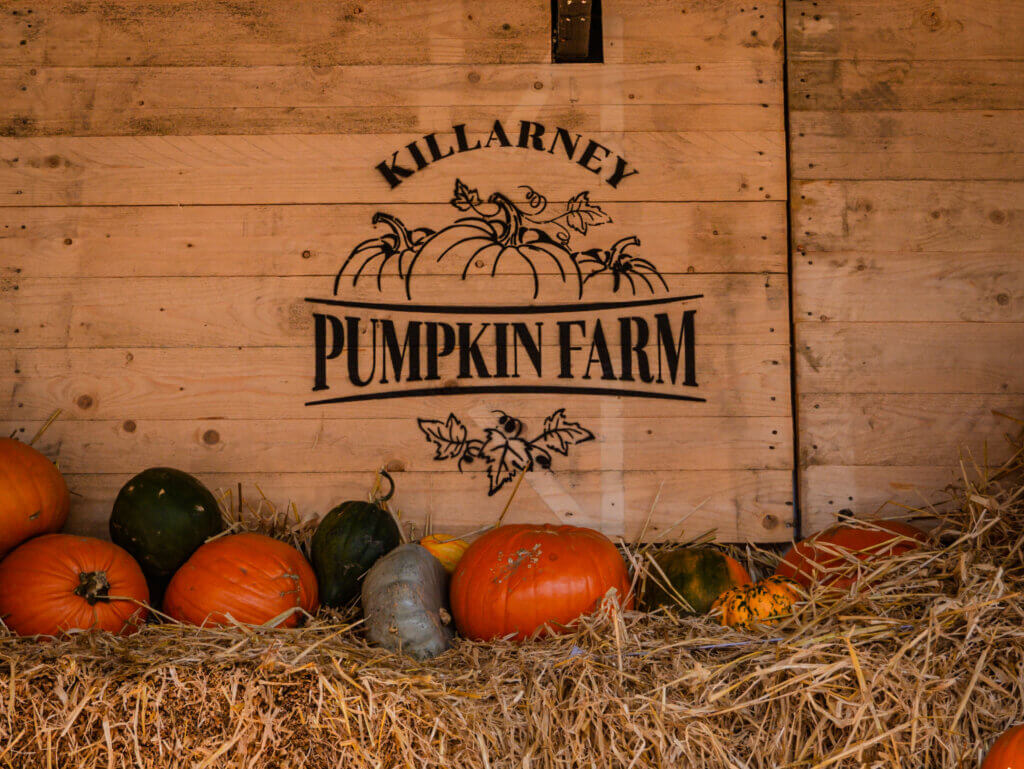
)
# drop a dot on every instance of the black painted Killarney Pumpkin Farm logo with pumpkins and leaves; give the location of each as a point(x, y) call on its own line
point(534, 326)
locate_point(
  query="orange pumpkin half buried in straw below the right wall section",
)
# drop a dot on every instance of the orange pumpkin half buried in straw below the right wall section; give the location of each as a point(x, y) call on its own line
point(827, 557)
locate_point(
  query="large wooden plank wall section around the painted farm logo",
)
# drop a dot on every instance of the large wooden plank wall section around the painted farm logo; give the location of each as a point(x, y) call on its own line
point(177, 177)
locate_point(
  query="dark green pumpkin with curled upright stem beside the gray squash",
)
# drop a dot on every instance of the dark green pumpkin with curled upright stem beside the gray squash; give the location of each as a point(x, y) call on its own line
point(349, 542)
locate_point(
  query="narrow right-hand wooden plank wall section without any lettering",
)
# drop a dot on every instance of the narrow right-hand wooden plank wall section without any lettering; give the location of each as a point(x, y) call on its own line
point(908, 154)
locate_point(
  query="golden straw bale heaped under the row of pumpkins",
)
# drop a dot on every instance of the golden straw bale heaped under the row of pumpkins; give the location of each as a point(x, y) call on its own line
point(924, 671)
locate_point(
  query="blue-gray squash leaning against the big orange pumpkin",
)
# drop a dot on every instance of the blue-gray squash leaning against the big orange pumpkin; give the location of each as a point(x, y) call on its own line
point(405, 603)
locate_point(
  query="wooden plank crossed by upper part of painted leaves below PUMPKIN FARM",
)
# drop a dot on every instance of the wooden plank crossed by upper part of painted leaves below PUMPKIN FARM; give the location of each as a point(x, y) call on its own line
point(273, 446)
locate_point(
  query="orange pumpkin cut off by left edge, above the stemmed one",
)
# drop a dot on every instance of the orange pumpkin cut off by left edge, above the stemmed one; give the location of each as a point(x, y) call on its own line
point(34, 497)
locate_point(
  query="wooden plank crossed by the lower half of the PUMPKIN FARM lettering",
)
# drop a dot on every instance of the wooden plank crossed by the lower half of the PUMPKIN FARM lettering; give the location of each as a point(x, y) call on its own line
point(265, 383)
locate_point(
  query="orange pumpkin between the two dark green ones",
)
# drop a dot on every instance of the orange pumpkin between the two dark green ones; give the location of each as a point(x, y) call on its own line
point(252, 578)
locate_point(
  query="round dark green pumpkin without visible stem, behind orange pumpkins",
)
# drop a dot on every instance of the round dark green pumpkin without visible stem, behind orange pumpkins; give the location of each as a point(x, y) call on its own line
point(162, 517)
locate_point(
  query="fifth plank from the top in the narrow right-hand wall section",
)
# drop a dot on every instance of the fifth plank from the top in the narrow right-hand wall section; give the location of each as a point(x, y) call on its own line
point(948, 287)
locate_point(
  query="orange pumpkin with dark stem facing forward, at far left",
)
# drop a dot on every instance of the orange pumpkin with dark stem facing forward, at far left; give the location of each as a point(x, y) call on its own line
point(59, 583)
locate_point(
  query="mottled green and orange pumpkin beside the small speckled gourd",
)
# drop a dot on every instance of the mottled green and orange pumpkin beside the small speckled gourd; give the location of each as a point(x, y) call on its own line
point(697, 575)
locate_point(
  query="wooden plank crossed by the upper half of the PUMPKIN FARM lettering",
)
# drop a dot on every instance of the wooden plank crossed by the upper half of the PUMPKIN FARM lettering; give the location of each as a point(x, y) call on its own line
point(272, 311)
